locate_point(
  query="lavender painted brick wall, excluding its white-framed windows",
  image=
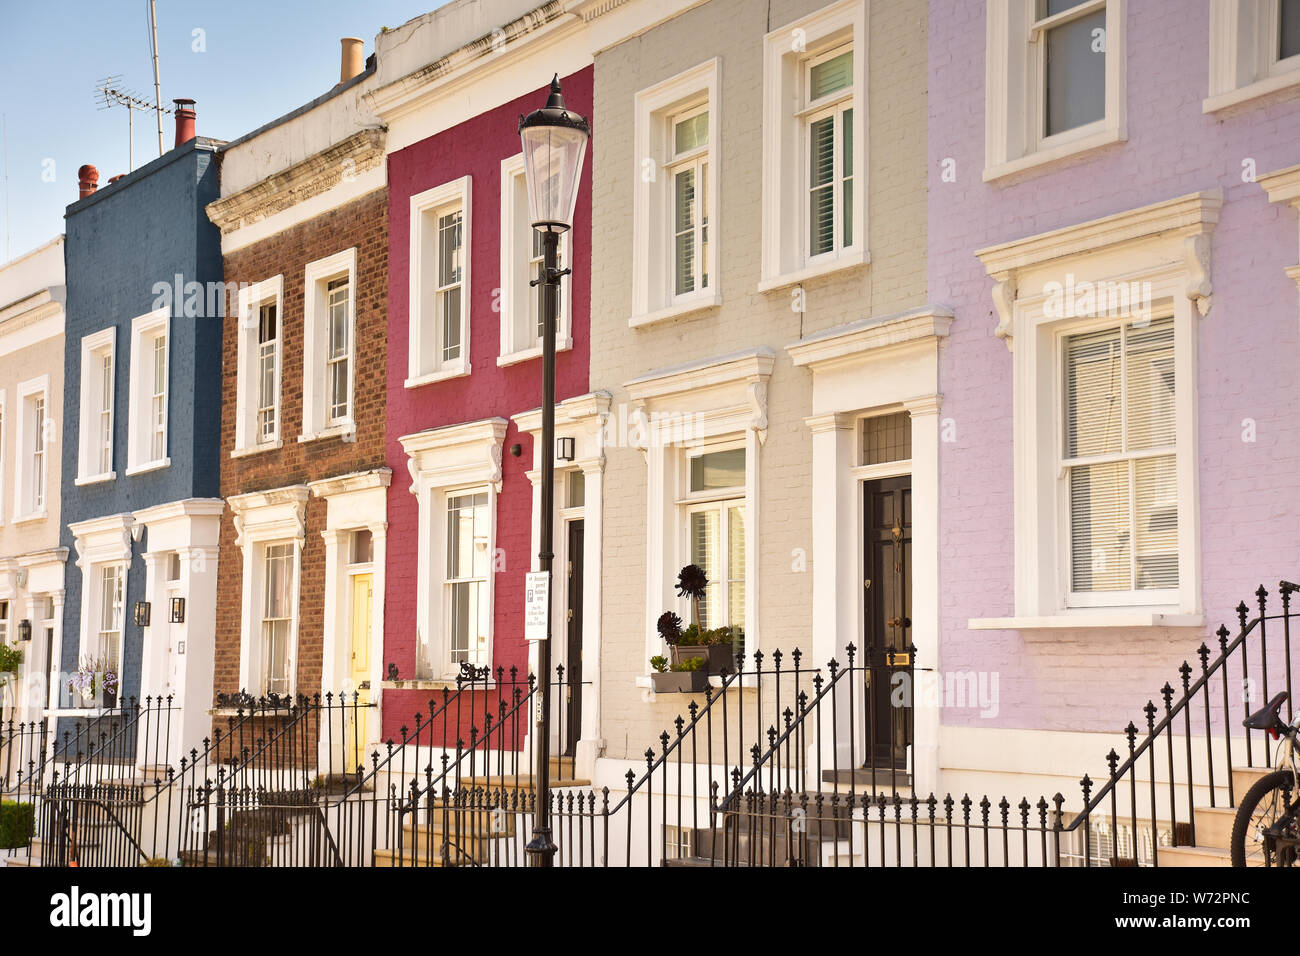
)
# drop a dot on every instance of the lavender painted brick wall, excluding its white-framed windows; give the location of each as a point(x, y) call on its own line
point(1099, 680)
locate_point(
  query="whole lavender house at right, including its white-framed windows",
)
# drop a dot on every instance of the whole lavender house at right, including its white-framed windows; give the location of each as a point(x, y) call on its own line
point(1113, 224)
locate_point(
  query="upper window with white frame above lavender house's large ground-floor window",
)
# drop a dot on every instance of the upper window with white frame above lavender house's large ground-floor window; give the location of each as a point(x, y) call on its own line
point(1055, 80)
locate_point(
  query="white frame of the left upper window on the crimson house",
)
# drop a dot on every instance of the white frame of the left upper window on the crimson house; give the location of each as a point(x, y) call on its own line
point(423, 322)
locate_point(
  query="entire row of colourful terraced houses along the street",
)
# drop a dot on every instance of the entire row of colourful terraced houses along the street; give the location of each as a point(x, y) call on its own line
point(951, 339)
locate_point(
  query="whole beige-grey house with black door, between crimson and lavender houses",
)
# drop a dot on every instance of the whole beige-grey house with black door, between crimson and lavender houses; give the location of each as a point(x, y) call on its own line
point(762, 330)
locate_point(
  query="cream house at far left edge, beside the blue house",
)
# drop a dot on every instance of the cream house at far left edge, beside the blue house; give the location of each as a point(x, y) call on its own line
point(32, 388)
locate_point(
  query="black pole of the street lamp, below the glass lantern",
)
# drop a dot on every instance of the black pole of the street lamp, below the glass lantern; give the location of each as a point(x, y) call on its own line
point(541, 849)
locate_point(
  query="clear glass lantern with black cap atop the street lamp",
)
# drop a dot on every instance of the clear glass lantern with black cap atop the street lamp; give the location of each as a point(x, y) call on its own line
point(554, 150)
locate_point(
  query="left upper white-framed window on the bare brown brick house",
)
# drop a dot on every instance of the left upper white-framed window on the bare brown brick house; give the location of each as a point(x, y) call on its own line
point(261, 357)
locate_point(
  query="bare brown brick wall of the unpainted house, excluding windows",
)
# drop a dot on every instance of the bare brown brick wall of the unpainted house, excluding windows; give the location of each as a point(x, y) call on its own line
point(365, 226)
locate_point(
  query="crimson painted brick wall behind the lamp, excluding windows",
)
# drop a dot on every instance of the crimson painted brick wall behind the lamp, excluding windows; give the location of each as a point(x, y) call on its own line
point(474, 149)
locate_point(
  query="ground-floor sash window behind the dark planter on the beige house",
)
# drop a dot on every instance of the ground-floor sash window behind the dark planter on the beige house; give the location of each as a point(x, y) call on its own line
point(716, 530)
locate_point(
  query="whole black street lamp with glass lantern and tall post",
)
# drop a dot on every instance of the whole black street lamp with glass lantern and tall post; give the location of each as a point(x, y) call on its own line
point(554, 148)
